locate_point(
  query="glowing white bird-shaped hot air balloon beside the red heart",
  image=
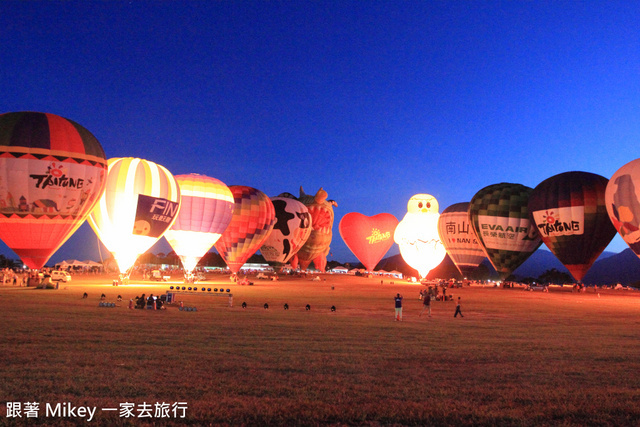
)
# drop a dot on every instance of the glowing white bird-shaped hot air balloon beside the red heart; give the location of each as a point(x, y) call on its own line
point(417, 234)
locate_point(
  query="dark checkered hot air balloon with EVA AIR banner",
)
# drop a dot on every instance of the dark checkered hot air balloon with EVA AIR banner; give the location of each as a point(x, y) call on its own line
point(500, 218)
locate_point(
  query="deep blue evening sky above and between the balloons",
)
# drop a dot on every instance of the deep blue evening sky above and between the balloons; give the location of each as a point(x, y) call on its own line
point(374, 101)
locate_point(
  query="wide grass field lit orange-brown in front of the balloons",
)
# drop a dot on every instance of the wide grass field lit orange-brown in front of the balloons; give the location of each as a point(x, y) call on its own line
point(516, 358)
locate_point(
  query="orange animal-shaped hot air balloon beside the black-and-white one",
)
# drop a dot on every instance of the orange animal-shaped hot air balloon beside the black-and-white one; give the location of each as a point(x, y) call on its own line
point(318, 244)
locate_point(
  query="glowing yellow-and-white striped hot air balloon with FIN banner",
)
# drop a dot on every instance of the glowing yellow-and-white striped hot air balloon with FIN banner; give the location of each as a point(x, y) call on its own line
point(139, 204)
